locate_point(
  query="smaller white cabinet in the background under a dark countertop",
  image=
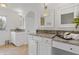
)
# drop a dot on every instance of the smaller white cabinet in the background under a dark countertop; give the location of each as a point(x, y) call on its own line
point(18, 38)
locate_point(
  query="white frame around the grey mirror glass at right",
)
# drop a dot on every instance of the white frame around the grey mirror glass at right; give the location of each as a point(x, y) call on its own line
point(64, 10)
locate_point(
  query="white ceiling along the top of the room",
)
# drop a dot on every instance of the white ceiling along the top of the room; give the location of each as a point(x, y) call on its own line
point(24, 7)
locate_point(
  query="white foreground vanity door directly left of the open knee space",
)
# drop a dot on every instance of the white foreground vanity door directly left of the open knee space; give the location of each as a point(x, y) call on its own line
point(44, 46)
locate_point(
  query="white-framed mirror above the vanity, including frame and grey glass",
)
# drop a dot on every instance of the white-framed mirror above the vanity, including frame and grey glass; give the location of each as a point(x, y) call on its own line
point(65, 16)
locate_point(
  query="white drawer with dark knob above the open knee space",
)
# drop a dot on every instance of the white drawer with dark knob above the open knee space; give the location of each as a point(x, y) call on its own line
point(66, 47)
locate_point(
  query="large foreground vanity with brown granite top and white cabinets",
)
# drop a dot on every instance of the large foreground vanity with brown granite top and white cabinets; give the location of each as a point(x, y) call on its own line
point(51, 44)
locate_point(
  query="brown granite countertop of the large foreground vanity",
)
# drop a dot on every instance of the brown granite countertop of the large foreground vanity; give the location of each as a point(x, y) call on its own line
point(56, 38)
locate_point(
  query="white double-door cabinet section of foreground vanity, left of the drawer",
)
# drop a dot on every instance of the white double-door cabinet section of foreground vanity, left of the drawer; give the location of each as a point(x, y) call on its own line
point(39, 45)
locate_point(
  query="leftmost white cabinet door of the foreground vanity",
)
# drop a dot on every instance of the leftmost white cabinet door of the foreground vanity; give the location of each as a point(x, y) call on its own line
point(32, 46)
